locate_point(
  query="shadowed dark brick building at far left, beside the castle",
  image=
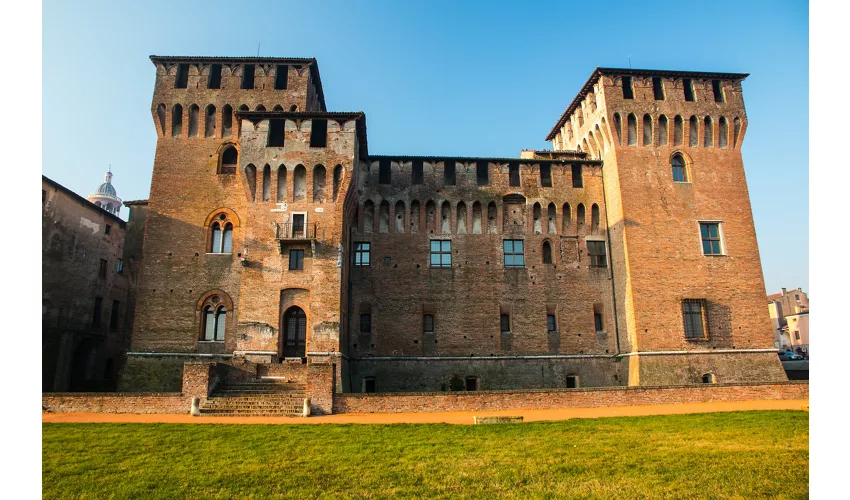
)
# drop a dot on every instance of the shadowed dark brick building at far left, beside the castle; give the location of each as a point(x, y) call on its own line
point(84, 291)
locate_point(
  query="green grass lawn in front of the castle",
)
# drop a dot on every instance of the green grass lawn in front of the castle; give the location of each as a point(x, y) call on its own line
point(719, 455)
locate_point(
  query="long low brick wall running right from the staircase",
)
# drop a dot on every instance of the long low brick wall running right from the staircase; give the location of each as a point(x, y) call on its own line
point(564, 398)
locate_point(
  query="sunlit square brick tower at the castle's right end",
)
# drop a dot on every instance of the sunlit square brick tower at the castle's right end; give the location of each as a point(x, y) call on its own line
point(690, 295)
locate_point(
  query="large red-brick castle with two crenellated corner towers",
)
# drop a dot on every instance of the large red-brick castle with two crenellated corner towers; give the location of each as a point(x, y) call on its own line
point(626, 255)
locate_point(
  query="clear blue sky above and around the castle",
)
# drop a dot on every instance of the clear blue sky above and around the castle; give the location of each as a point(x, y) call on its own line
point(453, 78)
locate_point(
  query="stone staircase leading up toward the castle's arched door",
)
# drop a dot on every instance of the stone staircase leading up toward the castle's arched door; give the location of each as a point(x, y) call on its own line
point(256, 398)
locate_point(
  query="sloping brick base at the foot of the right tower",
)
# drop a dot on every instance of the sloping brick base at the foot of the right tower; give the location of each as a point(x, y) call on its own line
point(727, 368)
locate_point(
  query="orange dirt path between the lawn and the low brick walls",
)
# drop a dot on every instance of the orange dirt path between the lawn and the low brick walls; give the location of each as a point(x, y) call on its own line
point(461, 417)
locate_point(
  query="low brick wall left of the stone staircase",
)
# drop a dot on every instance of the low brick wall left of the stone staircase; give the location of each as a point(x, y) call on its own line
point(116, 402)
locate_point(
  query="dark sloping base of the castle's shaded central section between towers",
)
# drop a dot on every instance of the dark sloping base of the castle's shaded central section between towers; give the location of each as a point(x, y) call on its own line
point(436, 374)
